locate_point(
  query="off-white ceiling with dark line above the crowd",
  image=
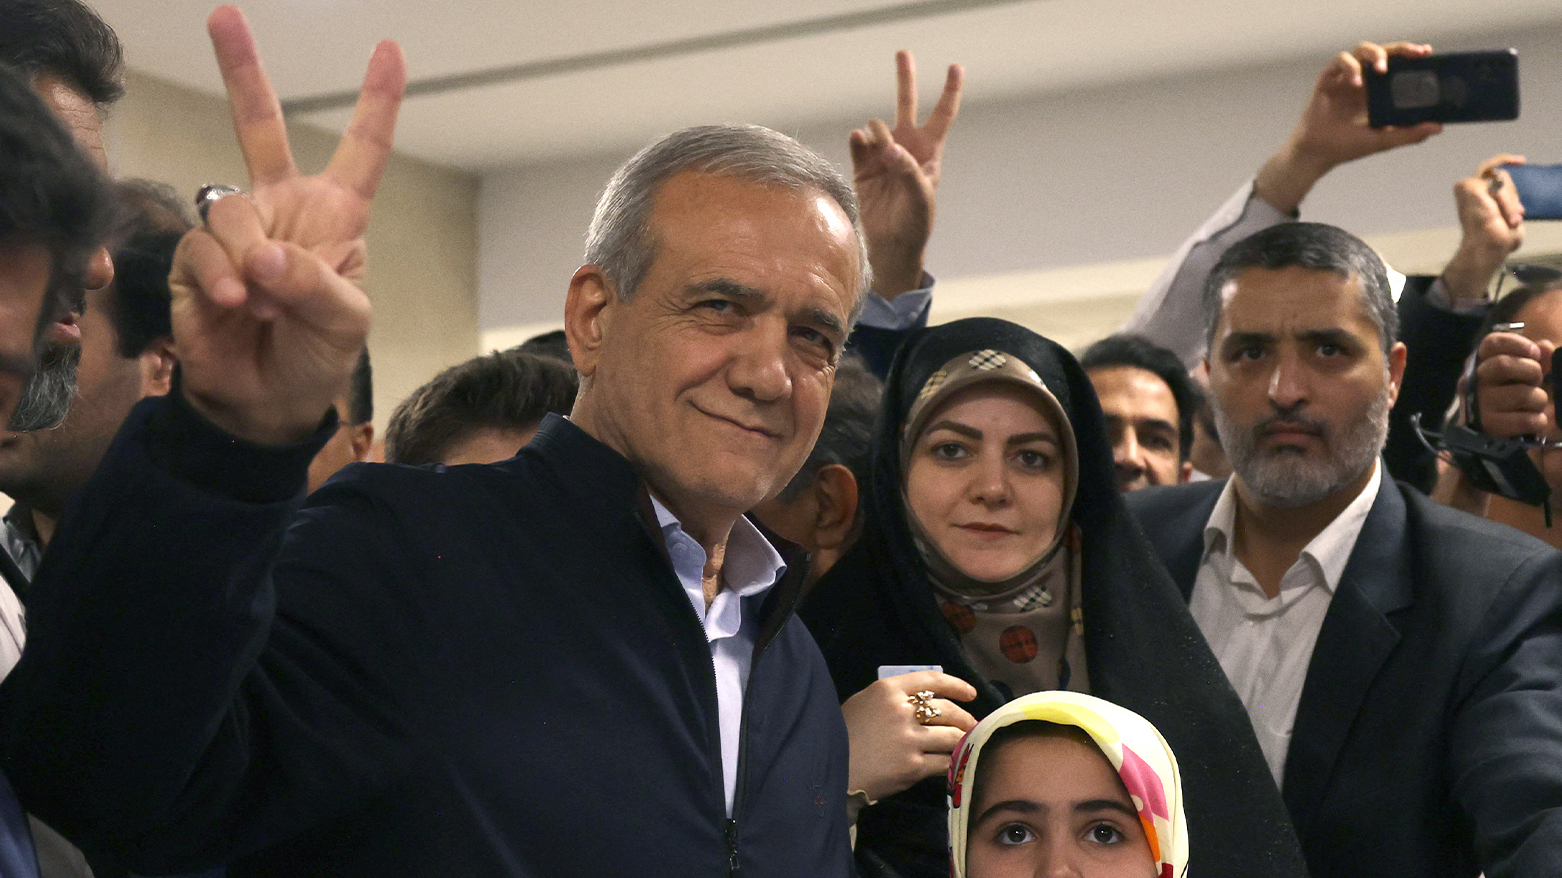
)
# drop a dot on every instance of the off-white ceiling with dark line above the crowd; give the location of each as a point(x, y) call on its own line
point(1010, 49)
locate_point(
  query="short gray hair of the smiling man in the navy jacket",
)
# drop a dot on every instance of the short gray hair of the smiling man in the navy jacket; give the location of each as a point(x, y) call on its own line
point(621, 238)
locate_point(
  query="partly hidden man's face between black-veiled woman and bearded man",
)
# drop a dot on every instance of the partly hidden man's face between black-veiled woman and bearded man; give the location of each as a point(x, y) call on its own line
point(1143, 427)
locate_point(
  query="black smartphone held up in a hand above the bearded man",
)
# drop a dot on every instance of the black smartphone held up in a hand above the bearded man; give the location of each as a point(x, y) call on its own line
point(1461, 87)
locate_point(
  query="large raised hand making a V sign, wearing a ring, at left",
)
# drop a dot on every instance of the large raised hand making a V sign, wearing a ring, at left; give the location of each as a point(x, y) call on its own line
point(268, 312)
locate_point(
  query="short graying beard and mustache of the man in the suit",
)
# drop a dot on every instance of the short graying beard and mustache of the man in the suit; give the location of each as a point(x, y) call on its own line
point(1289, 479)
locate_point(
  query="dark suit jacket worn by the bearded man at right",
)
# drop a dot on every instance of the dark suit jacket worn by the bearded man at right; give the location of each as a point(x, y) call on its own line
point(1428, 741)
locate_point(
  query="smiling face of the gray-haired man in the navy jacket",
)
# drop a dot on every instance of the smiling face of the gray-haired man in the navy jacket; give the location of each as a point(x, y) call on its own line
point(716, 376)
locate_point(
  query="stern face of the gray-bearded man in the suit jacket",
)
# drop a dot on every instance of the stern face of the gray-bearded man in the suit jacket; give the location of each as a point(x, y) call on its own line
point(1300, 384)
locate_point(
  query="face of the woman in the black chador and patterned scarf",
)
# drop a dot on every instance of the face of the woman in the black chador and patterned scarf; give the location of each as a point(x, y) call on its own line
point(986, 480)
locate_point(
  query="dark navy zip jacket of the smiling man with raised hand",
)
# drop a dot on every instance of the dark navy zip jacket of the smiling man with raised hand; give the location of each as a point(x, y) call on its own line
point(479, 671)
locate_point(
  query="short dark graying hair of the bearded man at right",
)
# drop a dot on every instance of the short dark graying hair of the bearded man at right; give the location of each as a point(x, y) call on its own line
point(1310, 246)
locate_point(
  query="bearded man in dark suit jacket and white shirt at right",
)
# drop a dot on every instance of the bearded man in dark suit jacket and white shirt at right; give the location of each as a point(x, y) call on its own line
point(1400, 660)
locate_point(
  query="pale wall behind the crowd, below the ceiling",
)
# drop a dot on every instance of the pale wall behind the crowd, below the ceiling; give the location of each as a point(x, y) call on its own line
point(1111, 177)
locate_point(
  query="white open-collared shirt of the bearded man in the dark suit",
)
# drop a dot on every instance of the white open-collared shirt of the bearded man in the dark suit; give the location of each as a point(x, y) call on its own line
point(1266, 644)
